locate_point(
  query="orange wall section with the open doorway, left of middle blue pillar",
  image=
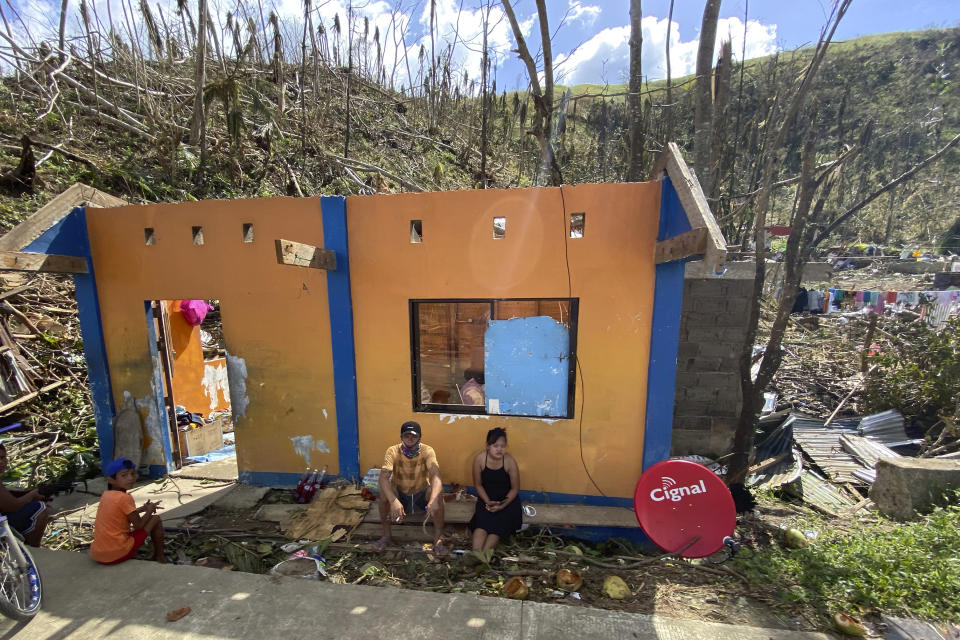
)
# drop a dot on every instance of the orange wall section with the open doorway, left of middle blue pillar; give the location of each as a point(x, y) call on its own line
point(276, 322)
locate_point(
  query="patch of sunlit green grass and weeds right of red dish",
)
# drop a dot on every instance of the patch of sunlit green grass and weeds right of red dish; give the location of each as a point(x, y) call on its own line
point(910, 569)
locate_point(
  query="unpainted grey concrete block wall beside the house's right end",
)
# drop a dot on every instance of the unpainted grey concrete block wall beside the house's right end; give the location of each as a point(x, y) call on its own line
point(713, 331)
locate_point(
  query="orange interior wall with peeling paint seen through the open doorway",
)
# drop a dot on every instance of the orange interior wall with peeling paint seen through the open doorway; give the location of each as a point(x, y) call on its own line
point(190, 369)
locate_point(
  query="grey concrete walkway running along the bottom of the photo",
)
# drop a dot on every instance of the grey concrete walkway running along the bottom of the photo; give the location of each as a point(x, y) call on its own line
point(83, 600)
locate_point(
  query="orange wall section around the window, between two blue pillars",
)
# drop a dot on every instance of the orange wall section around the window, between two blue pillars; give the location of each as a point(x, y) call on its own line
point(611, 270)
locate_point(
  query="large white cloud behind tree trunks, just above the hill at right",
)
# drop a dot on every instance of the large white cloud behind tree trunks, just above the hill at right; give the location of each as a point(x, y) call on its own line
point(605, 58)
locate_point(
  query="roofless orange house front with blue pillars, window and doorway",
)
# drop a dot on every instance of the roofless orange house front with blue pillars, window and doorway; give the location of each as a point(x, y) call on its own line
point(553, 312)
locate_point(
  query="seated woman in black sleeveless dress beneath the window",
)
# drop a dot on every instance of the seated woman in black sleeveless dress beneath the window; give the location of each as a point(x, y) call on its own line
point(497, 480)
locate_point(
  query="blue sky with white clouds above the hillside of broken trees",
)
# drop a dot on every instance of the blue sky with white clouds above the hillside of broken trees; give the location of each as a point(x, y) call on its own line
point(590, 44)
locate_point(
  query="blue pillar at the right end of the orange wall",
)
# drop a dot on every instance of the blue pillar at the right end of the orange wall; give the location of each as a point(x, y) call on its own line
point(664, 334)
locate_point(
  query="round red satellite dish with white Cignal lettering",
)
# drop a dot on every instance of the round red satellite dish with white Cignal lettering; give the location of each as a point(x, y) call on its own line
point(677, 501)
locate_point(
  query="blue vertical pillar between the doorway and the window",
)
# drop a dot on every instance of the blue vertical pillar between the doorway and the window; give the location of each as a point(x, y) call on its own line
point(334, 214)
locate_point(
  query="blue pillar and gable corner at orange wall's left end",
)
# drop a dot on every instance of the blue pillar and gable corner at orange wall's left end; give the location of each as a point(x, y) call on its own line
point(69, 237)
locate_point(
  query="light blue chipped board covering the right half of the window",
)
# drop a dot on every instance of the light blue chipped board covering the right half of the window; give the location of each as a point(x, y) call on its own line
point(527, 367)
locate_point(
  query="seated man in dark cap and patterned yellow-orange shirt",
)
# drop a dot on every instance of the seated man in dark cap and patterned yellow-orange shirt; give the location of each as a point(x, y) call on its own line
point(410, 483)
